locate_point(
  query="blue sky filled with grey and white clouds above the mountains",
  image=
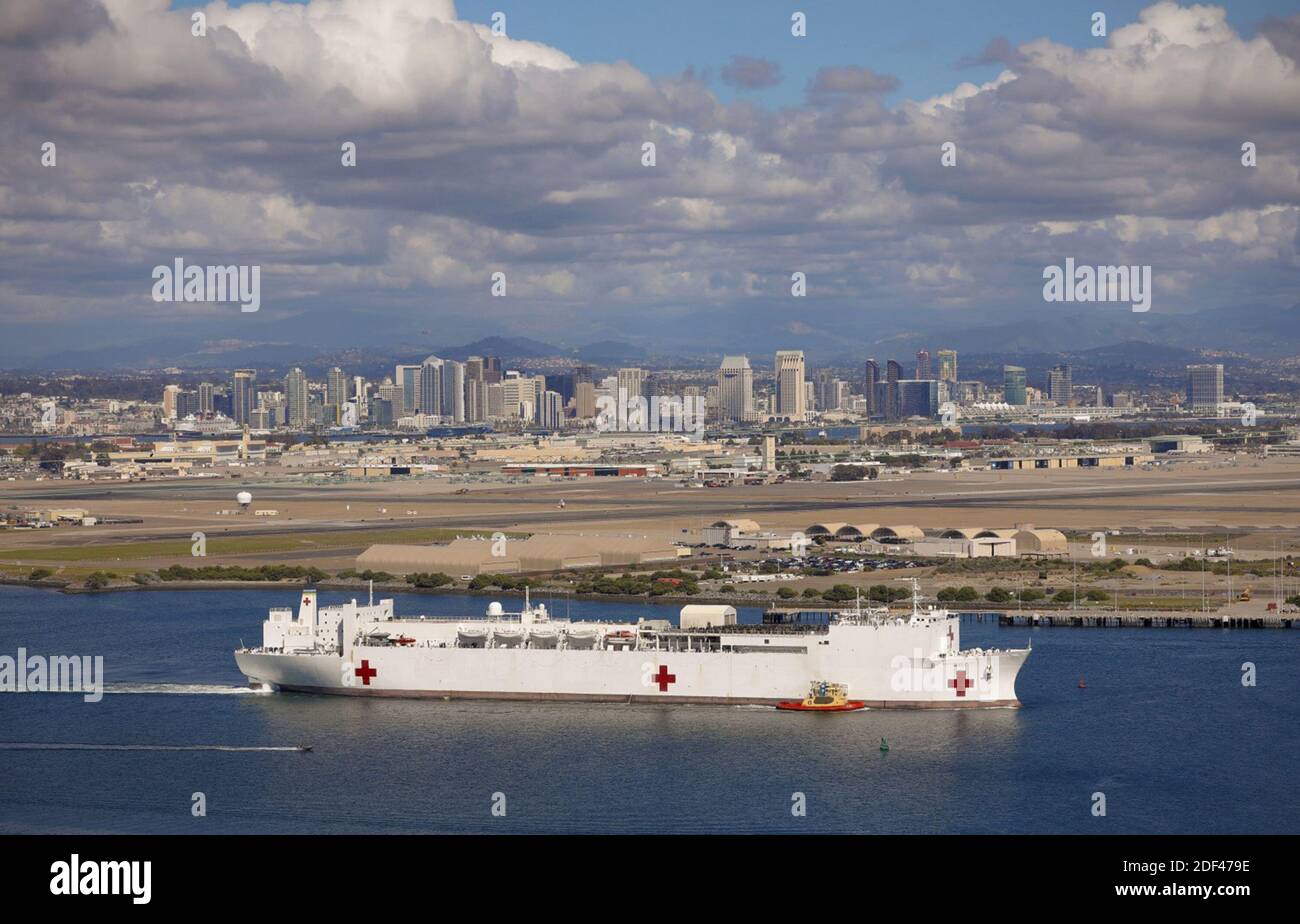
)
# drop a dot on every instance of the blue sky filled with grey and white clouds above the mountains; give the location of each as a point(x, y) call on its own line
point(523, 154)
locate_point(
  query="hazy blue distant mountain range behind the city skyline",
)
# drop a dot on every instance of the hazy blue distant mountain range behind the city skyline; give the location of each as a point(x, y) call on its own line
point(1117, 337)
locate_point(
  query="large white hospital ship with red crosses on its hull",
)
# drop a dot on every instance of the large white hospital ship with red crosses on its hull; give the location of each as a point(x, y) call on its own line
point(912, 660)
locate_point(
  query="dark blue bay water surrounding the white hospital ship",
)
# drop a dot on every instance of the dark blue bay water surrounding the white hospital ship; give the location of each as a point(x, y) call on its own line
point(1165, 730)
